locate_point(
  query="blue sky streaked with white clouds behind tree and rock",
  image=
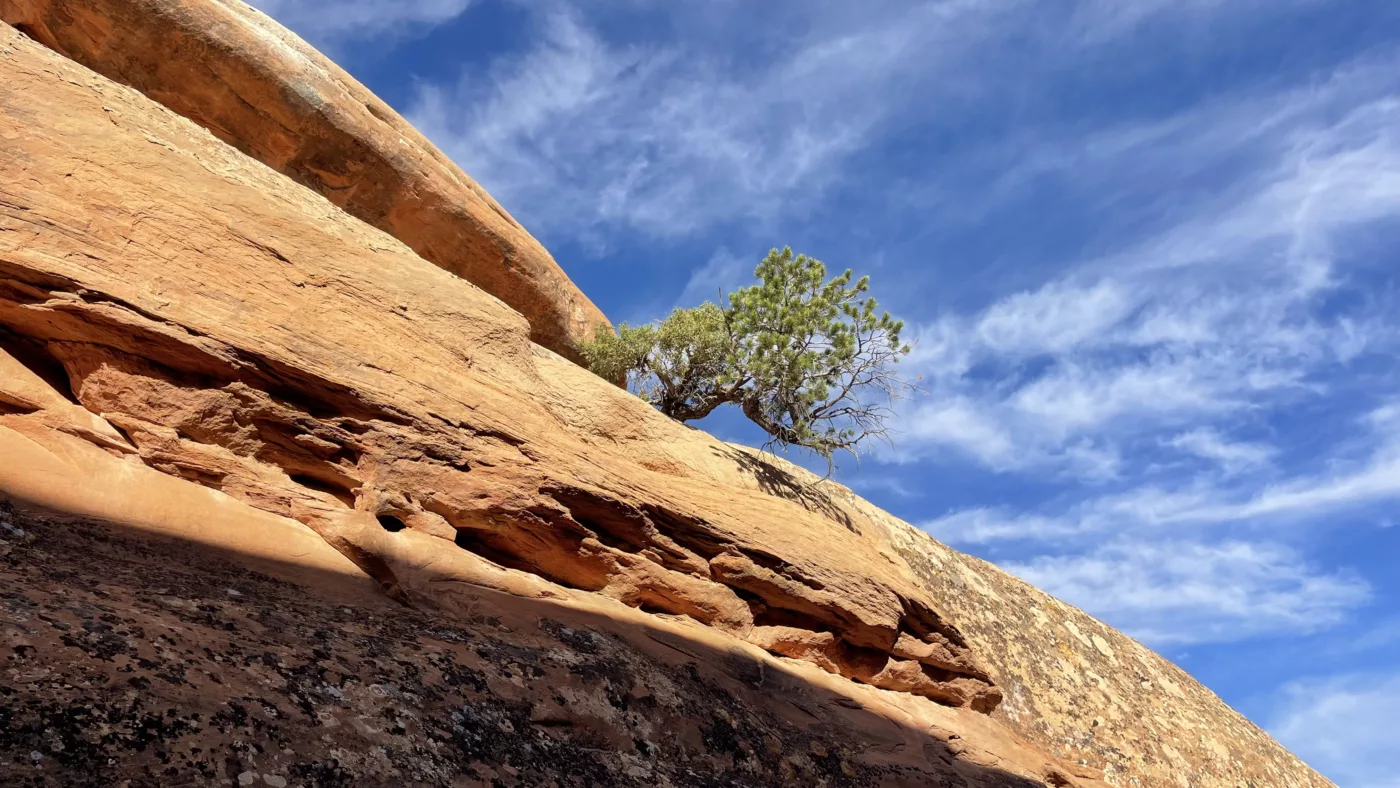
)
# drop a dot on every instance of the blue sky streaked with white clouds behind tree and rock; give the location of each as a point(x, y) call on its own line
point(1147, 248)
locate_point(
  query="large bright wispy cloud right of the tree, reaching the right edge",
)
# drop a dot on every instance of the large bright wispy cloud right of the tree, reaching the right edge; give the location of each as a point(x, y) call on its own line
point(1214, 317)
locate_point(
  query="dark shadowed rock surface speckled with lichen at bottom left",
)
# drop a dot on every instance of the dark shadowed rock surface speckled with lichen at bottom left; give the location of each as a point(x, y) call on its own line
point(125, 659)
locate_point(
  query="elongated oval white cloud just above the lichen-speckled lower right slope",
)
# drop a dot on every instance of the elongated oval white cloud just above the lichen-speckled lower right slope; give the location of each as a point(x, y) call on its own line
point(1179, 593)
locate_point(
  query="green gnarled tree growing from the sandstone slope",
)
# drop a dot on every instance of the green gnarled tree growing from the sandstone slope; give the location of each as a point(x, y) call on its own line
point(810, 360)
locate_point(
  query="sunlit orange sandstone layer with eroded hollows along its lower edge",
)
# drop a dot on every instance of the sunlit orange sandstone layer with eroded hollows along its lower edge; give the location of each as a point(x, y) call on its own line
point(261, 342)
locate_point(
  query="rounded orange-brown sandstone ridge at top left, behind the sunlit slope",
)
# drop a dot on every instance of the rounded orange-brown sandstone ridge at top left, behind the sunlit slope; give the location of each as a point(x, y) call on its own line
point(258, 87)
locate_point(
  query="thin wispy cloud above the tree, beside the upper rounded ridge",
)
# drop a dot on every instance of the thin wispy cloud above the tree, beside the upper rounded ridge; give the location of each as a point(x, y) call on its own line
point(589, 136)
